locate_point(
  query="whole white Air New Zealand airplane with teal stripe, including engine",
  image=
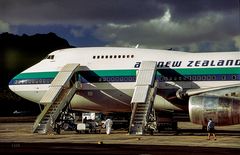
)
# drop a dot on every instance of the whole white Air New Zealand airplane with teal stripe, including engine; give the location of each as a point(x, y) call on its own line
point(203, 85)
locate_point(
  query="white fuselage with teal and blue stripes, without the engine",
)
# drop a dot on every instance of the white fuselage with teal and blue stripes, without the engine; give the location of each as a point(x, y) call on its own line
point(108, 75)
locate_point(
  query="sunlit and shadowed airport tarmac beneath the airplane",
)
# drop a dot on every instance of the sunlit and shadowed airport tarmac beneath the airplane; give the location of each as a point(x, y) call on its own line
point(18, 138)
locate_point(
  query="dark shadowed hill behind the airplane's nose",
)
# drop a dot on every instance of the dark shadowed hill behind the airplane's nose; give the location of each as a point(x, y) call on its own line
point(17, 53)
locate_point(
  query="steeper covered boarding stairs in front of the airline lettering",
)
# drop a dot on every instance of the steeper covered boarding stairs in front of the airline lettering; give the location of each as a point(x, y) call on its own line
point(143, 98)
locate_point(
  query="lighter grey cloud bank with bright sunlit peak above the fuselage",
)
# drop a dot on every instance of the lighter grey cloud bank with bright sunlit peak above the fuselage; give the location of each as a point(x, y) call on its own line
point(217, 30)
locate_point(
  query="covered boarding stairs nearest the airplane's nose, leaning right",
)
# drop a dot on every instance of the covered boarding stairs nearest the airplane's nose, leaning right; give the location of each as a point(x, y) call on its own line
point(57, 98)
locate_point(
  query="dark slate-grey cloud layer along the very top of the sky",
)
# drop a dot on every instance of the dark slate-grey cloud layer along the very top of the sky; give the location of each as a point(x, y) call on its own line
point(77, 11)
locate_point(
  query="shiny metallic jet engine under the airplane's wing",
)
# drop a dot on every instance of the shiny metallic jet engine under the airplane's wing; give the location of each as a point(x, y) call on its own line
point(223, 110)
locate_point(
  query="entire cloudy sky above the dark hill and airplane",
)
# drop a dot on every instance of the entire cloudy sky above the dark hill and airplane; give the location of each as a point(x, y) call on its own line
point(187, 25)
